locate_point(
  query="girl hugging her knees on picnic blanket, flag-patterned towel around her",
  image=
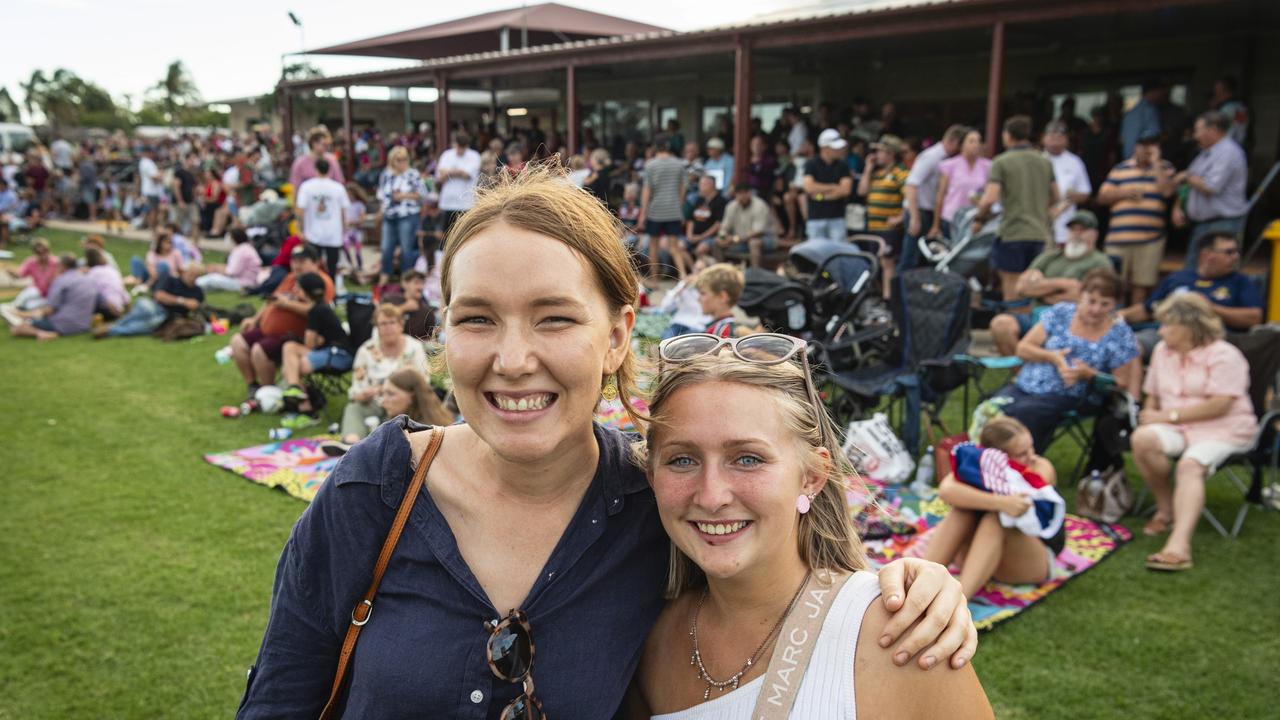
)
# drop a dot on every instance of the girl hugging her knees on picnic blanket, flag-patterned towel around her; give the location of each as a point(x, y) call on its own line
point(973, 535)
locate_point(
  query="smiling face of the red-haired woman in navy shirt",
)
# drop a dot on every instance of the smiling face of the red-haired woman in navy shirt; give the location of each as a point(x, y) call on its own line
point(531, 339)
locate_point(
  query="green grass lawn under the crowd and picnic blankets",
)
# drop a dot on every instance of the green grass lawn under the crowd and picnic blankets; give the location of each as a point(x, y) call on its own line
point(136, 580)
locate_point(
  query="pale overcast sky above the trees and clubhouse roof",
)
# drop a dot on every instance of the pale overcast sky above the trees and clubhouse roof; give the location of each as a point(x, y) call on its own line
point(232, 48)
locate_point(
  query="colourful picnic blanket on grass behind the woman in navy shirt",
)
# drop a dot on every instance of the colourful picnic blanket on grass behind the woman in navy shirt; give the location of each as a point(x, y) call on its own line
point(299, 467)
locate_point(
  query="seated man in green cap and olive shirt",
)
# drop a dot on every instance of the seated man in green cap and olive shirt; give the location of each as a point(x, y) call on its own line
point(1054, 277)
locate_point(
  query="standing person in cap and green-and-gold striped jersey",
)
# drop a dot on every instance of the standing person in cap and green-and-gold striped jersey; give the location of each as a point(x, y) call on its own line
point(883, 185)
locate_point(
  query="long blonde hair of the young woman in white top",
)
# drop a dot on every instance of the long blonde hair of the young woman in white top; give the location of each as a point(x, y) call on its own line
point(828, 539)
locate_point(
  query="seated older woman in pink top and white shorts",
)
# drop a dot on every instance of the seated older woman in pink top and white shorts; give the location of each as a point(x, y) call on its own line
point(1197, 408)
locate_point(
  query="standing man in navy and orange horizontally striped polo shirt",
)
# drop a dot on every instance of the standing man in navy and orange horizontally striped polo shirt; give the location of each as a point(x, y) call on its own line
point(1137, 192)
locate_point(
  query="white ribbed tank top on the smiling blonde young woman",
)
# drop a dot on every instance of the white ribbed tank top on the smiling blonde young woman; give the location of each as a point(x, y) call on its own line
point(828, 689)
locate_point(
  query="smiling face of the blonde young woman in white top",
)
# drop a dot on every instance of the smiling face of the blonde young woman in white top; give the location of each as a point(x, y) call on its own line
point(726, 473)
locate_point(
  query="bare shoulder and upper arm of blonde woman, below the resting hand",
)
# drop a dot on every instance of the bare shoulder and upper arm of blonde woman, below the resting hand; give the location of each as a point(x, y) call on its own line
point(884, 690)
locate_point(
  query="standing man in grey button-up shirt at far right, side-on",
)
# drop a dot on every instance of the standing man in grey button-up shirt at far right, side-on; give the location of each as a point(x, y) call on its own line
point(1217, 200)
